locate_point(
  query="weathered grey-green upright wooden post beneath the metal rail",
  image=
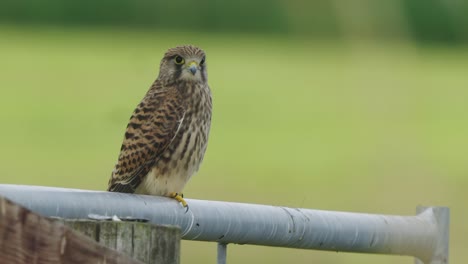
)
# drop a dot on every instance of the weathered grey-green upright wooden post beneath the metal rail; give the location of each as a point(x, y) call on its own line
point(145, 242)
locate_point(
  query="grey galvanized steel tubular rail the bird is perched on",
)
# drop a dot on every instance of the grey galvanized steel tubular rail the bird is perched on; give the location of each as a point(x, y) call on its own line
point(424, 236)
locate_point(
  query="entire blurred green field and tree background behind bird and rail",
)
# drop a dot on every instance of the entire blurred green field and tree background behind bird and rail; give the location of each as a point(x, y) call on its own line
point(340, 105)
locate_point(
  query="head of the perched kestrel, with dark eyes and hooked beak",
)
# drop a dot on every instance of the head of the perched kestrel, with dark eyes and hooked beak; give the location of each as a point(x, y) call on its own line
point(183, 63)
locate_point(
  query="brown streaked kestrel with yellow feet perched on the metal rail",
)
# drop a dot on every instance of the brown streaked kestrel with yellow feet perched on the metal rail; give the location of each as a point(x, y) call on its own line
point(167, 134)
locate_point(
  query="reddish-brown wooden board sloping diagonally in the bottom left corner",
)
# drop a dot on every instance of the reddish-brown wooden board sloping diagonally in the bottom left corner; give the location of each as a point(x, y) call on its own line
point(27, 237)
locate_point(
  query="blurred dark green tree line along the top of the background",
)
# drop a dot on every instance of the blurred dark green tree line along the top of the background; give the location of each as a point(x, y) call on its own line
point(421, 20)
